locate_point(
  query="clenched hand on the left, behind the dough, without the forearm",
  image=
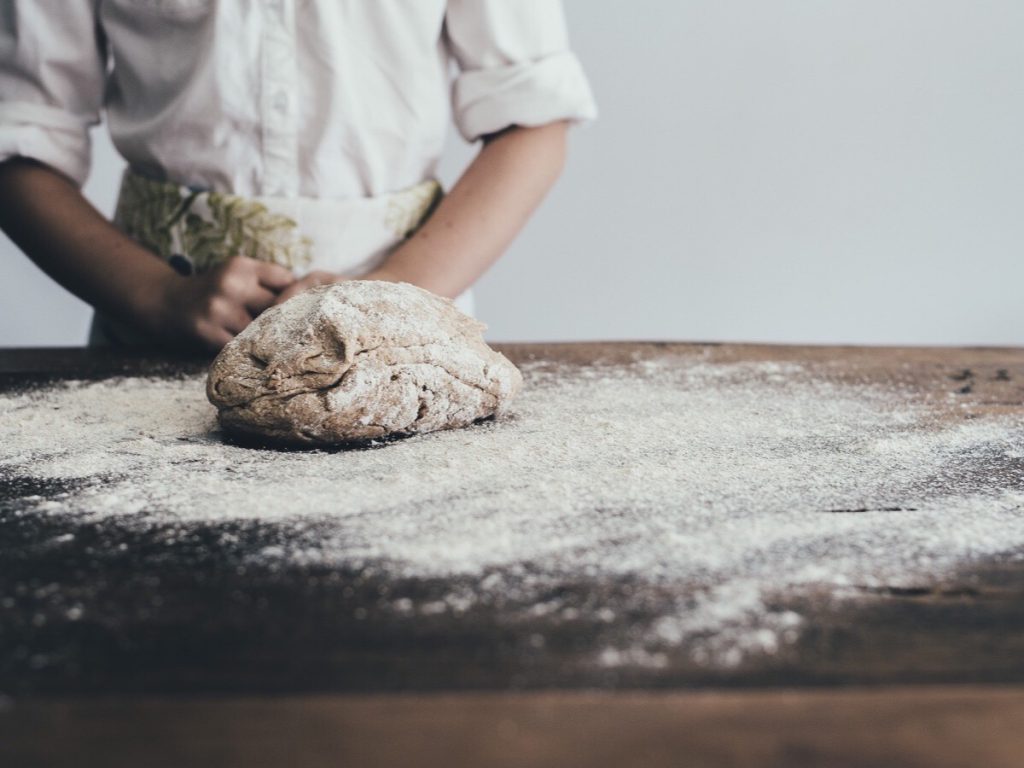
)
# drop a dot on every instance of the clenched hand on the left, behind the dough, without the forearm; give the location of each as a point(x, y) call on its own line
point(217, 306)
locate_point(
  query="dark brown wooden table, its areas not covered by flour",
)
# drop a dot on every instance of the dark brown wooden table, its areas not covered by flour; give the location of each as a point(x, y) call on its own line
point(929, 676)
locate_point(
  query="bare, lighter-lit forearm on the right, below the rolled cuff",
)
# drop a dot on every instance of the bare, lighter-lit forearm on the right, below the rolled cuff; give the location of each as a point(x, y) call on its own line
point(484, 212)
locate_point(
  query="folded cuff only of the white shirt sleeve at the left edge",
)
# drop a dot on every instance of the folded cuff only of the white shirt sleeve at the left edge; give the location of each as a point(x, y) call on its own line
point(49, 136)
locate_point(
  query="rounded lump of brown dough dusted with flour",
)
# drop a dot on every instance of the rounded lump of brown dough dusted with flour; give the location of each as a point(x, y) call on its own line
point(356, 361)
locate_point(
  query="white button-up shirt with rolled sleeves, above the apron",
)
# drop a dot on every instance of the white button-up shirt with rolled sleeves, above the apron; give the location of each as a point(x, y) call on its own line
point(322, 99)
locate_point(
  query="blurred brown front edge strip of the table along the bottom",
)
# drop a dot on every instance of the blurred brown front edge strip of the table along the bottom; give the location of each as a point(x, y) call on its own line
point(906, 728)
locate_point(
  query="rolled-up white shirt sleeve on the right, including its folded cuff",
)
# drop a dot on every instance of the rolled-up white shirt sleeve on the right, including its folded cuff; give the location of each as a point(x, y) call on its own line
point(516, 66)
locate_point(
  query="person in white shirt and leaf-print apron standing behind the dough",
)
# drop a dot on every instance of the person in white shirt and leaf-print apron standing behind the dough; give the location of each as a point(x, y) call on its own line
point(274, 146)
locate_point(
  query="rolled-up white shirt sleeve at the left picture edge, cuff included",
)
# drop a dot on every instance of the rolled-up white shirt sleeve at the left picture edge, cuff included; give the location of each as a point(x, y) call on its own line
point(53, 75)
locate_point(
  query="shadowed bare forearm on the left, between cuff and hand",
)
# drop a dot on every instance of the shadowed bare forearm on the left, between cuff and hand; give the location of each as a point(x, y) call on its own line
point(50, 220)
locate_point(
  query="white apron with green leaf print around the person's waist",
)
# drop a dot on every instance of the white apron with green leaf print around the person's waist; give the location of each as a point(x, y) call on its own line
point(196, 230)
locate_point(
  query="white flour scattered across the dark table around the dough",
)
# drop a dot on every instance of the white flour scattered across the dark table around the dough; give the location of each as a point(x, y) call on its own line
point(718, 487)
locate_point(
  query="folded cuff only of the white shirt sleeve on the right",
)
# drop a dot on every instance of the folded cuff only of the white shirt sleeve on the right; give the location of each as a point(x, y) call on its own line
point(532, 94)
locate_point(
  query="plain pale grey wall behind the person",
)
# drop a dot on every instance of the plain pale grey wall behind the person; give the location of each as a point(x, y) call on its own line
point(764, 170)
